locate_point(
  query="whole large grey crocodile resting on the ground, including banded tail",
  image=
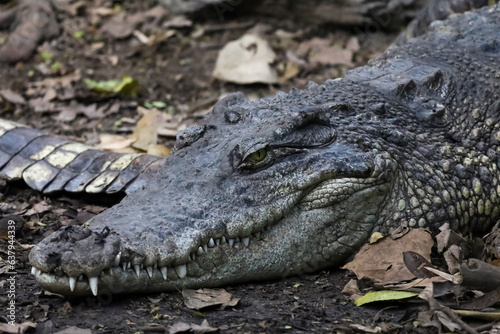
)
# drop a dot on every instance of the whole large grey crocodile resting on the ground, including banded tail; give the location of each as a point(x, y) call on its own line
point(298, 182)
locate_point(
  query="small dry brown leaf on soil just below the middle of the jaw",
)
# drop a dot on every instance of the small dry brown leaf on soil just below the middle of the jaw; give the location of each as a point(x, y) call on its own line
point(198, 299)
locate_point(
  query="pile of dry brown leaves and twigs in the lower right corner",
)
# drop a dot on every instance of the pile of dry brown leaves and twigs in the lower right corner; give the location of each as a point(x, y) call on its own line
point(449, 293)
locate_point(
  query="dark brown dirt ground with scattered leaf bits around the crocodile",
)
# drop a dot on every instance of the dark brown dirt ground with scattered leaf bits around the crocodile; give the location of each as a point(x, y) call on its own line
point(178, 72)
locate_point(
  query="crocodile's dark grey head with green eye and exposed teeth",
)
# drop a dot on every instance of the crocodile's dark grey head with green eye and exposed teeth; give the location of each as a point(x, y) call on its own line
point(261, 190)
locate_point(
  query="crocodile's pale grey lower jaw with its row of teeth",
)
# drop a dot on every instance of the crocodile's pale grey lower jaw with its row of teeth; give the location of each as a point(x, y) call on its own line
point(293, 245)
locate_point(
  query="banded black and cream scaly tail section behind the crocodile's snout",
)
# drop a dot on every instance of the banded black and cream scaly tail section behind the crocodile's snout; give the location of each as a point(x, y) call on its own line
point(51, 164)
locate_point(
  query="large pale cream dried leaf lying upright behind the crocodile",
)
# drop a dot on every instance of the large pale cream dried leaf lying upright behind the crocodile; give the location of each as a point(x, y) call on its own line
point(245, 61)
